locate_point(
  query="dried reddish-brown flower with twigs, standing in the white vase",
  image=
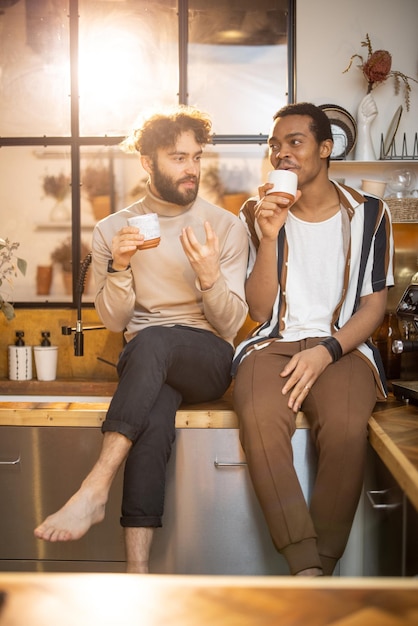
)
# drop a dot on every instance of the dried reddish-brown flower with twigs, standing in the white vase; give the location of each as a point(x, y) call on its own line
point(378, 68)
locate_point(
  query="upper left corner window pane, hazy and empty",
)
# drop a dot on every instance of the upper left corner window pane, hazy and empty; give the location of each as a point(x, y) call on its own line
point(34, 79)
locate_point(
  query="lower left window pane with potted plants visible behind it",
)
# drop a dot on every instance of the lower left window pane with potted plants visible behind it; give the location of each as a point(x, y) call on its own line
point(35, 196)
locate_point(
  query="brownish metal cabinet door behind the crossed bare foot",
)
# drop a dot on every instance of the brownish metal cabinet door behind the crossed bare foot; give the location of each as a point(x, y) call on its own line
point(40, 468)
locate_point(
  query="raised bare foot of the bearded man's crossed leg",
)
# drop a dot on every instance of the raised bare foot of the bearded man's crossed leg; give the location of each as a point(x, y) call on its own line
point(74, 519)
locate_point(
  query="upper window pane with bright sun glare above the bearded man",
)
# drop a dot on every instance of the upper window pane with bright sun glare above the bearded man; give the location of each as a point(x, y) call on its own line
point(128, 62)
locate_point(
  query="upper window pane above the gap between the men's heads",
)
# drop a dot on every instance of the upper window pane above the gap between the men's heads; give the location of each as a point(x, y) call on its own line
point(237, 58)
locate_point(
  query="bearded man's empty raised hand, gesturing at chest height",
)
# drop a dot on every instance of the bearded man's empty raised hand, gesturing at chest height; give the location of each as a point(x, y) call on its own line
point(204, 259)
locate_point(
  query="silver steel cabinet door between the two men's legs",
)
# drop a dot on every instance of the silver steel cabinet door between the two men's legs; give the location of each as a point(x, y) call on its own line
point(213, 523)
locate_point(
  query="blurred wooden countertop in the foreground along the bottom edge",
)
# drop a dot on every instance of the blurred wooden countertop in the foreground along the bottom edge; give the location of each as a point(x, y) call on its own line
point(154, 600)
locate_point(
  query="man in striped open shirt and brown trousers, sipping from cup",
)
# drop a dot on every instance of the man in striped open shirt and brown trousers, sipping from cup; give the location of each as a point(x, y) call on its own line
point(317, 284)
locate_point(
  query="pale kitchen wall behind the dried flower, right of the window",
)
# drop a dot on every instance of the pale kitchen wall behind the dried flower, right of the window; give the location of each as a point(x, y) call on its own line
point(328, 32)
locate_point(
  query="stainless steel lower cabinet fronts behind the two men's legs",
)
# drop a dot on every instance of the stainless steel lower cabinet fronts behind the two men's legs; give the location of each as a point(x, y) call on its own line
point(212, 525)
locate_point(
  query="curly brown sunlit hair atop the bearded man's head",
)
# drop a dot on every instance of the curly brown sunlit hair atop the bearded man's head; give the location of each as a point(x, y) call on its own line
point(162, 130)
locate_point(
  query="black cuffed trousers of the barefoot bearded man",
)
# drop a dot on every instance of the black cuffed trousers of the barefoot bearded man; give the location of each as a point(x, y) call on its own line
point(158, 370)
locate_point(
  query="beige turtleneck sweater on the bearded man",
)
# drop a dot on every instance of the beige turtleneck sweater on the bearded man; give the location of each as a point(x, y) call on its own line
point(160, 288)
